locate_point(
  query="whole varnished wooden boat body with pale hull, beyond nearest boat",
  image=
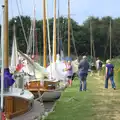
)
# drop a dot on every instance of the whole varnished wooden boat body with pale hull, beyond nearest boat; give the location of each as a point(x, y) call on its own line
point(49, 90)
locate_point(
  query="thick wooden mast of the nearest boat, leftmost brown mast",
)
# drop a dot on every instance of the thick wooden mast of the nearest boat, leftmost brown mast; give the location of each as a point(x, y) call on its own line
point(6, 51)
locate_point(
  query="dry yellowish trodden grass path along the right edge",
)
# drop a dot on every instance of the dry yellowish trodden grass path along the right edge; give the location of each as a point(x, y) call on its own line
point(107, 102)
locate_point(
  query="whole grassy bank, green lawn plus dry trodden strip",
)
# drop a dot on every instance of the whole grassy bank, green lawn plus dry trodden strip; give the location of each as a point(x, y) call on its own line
point(95, 104)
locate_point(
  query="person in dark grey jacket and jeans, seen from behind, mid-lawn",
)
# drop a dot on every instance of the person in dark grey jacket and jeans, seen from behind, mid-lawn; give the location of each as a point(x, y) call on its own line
point(83, 72)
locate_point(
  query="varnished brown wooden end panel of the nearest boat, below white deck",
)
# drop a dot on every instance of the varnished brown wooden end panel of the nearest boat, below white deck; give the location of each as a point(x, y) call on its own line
point(15, 106)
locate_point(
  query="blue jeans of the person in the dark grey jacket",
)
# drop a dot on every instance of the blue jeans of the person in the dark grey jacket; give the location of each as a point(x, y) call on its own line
point(83, 83)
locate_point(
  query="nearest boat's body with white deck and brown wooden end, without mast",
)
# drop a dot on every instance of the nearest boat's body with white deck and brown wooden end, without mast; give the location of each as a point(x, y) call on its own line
point(17, 102)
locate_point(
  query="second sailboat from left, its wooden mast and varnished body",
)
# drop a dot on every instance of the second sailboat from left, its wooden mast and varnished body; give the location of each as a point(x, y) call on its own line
point(49, 88)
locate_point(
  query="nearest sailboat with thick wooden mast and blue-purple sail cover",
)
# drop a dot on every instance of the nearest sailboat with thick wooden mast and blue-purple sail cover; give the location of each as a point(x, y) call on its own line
point(14, 101)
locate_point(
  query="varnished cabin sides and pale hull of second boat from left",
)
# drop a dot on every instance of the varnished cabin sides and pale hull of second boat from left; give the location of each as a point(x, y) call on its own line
point(48, 94)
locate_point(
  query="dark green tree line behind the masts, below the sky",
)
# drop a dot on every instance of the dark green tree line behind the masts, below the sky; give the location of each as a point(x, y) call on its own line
point(80, 35)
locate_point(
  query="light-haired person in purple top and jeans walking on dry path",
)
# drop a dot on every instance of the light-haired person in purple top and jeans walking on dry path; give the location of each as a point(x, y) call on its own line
point(109, 74)
